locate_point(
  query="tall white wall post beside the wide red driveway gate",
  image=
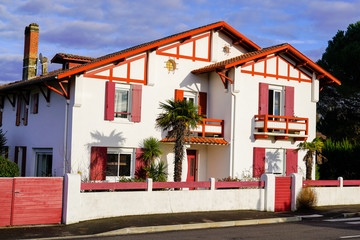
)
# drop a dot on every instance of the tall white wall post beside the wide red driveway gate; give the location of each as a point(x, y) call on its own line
point(72, 198)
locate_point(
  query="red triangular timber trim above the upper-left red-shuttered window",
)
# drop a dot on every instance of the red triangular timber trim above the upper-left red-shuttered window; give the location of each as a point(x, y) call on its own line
point(128, 78)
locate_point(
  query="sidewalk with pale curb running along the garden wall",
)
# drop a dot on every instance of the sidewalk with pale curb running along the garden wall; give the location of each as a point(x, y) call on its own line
point(178, 221)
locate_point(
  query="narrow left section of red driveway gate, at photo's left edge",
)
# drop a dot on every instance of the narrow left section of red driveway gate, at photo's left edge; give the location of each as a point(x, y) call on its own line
point(6, 192)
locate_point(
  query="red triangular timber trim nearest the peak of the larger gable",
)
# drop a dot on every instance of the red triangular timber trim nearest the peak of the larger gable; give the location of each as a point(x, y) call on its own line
point(177, 46)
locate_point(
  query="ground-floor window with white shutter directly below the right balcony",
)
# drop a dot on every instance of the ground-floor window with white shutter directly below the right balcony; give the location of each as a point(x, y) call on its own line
point(275, 161)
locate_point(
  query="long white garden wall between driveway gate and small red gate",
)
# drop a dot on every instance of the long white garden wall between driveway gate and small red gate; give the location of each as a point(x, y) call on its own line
point(94, 205)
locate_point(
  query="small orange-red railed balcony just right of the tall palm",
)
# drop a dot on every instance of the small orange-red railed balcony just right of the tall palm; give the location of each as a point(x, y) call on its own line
point(209, 128)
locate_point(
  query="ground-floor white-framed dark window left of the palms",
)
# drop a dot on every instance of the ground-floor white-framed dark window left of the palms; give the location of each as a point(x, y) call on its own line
point(119, 162)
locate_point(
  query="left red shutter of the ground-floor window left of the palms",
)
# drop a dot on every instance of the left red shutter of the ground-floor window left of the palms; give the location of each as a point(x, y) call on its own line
point(98, 163)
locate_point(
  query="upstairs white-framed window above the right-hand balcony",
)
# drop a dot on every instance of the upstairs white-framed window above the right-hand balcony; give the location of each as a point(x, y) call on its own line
point(276, 101)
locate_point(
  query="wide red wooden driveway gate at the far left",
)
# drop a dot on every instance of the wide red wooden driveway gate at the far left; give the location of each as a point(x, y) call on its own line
point(25, 201)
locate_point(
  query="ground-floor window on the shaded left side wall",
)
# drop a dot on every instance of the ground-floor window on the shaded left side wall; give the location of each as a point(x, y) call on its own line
point(43, 162)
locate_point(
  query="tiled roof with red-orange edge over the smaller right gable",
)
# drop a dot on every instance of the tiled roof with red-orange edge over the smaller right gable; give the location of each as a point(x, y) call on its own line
point(285, 48)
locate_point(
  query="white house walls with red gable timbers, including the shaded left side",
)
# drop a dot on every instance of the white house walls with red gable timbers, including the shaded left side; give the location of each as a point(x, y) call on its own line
point(81, 116)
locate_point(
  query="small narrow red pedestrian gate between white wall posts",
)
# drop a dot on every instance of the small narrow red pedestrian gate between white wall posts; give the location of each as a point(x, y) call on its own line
point(282, 194)
